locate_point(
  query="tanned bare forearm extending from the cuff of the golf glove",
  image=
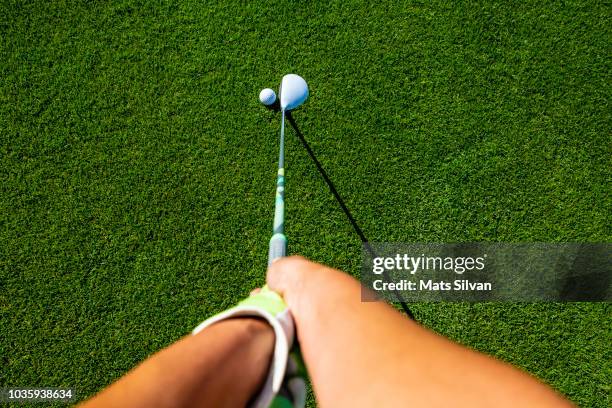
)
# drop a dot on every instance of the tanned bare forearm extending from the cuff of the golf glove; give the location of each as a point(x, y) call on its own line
point(224, 365)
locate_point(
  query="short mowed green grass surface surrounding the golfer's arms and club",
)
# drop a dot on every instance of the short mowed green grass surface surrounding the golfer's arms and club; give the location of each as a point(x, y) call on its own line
point(138, 167)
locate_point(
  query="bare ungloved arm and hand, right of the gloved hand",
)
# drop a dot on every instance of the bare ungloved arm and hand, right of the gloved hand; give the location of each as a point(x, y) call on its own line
point(368, 349)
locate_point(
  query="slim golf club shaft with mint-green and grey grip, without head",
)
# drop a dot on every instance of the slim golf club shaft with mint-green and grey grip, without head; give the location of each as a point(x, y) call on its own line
point(278, 242)
